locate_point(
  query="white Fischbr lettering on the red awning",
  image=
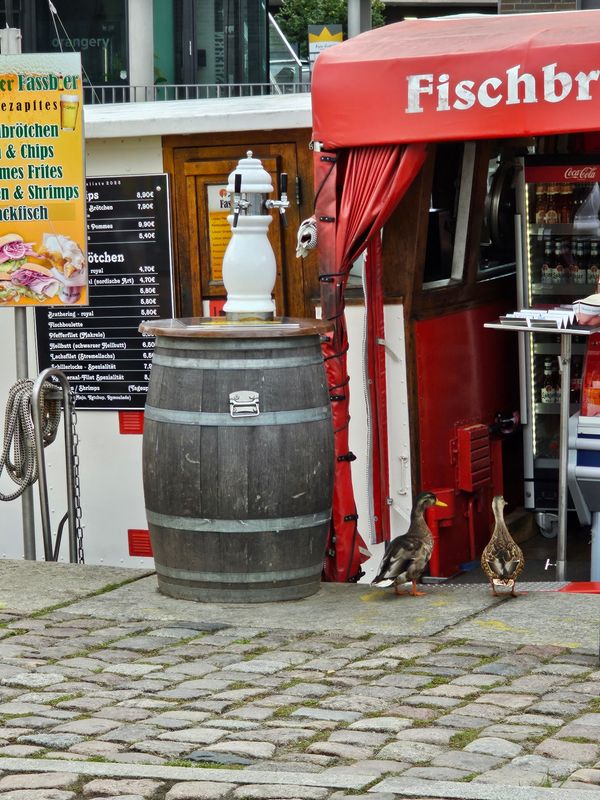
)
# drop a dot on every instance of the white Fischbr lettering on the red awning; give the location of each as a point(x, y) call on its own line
point(514, 88)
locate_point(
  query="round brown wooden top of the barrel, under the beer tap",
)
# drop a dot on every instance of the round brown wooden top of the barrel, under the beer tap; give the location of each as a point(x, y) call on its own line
point(219, 327)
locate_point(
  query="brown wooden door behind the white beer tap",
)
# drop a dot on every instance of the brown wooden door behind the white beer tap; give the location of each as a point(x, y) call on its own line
point(201, 231)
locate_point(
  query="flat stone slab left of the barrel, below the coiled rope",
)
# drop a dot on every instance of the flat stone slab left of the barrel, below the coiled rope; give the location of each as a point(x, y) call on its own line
point(29, 586)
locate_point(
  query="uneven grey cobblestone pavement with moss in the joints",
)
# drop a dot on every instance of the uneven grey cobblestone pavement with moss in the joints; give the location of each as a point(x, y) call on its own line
point(94, 707)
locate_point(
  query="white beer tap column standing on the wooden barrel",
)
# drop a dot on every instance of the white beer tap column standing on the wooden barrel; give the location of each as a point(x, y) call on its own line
point(249, 266)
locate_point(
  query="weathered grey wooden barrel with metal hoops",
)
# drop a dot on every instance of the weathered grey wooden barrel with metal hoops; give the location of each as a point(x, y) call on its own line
point(238, 460)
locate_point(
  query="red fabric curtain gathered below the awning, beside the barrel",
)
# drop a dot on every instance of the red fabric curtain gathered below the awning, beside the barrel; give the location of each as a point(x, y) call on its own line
point(356, 191)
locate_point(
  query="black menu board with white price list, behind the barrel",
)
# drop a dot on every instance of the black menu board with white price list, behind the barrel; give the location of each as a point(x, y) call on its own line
point(106, 360)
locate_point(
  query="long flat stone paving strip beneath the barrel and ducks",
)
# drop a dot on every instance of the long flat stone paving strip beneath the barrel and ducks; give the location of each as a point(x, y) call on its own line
point(538, 617)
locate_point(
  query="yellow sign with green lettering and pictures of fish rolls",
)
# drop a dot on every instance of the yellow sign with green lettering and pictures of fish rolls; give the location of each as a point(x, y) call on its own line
point(43, 258)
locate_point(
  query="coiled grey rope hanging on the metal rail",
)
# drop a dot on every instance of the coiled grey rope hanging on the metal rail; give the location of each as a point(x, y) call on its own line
point(19, 434)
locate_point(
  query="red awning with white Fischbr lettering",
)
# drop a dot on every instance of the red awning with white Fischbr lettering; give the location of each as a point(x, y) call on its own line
point(464, 77)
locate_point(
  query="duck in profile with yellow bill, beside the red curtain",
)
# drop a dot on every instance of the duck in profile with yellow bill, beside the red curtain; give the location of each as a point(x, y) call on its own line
point(406, 556)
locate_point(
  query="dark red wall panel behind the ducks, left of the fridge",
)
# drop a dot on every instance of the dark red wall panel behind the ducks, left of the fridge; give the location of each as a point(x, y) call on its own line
point(465, 374)
